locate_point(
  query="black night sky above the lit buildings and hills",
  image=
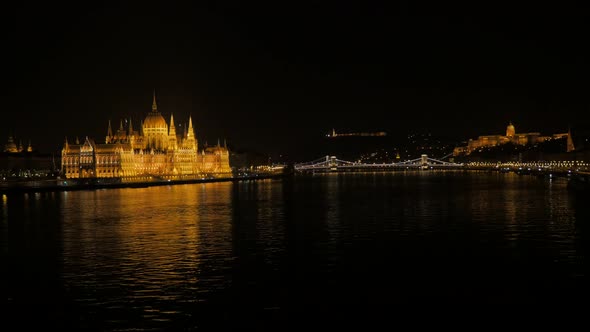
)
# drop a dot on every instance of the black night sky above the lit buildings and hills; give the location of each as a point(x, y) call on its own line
point(277, 77)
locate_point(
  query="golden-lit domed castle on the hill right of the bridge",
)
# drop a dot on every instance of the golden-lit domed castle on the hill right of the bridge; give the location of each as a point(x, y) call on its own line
point(510, 137)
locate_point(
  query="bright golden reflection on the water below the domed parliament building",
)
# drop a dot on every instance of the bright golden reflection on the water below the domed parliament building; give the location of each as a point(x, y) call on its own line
point(149, 242)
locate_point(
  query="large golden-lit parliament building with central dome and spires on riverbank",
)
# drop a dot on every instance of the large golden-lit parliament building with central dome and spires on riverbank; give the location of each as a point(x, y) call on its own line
point(156, 150)
